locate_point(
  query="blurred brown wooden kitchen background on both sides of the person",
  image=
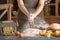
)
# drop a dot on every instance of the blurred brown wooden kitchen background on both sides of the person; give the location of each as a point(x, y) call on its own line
point(51, 10)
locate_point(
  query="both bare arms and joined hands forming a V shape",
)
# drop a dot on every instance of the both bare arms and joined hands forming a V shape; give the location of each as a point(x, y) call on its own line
point(25, 11)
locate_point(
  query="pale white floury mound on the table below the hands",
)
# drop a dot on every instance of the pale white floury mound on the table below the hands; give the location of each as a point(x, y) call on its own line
point(31, 32)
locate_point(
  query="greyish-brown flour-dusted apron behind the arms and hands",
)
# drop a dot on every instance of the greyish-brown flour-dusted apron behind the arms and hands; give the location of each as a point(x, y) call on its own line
point(39, 21)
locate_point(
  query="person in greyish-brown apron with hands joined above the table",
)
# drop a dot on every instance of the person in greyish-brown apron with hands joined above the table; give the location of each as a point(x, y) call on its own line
point(31, 13)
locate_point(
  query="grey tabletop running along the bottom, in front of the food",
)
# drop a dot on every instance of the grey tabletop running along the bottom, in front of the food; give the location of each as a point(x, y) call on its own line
point(28, 38)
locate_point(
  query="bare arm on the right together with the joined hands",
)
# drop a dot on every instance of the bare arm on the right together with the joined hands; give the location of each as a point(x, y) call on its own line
point(37, 11)
